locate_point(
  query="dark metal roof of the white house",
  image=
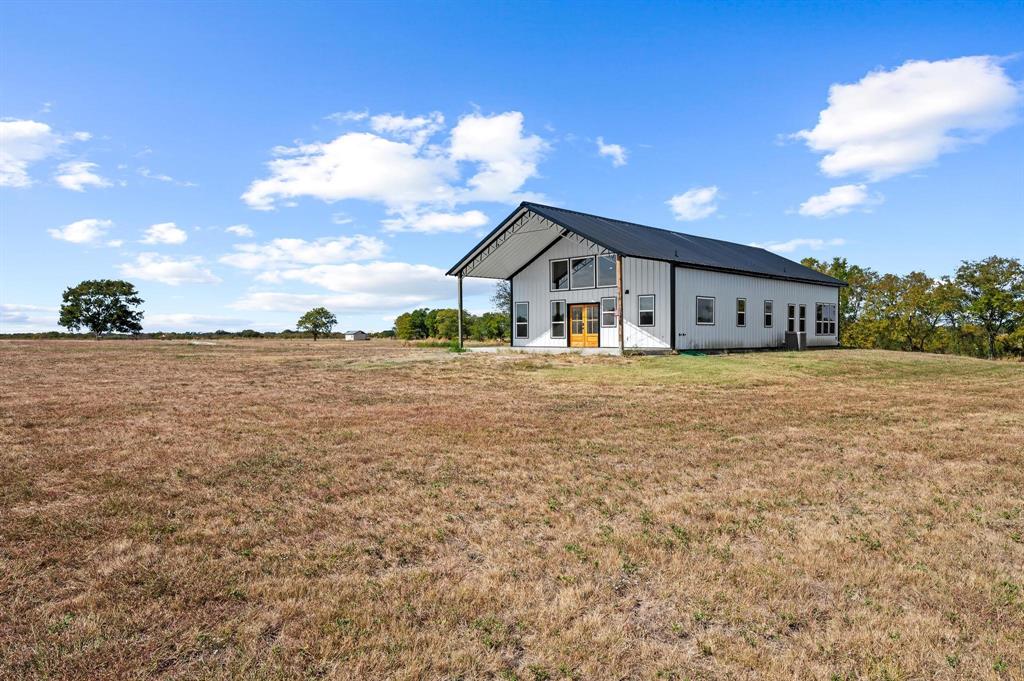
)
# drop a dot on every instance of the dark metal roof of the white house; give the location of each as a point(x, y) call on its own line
point(642, 241)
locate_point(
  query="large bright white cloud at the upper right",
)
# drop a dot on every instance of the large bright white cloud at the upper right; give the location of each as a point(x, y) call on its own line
point(892, 122)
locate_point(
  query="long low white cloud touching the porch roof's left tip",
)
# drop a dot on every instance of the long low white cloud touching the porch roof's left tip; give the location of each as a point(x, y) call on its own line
point(374, 286)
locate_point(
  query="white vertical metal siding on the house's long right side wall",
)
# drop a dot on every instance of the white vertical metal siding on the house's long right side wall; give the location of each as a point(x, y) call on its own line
point(726, 288)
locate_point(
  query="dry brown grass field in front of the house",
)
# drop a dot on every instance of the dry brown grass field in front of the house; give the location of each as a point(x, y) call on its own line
point(283, 509)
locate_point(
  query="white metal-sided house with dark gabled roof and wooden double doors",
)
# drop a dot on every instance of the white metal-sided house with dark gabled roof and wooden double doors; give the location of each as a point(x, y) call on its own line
point(581, 281)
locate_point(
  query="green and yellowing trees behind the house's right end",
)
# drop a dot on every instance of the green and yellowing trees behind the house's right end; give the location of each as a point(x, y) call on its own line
point(977, 311)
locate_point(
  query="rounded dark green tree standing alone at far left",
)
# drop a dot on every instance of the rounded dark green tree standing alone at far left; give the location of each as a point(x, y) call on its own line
point(103, 307)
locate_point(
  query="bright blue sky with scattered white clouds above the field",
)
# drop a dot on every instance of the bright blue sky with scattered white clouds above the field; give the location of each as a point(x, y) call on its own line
point(358, 151)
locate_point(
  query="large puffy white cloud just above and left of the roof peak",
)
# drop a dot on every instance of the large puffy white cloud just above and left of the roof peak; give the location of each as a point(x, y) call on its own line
point(396, 167)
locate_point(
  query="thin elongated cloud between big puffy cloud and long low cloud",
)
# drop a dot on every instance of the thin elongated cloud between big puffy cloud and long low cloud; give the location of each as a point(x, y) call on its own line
point(290, 252)
